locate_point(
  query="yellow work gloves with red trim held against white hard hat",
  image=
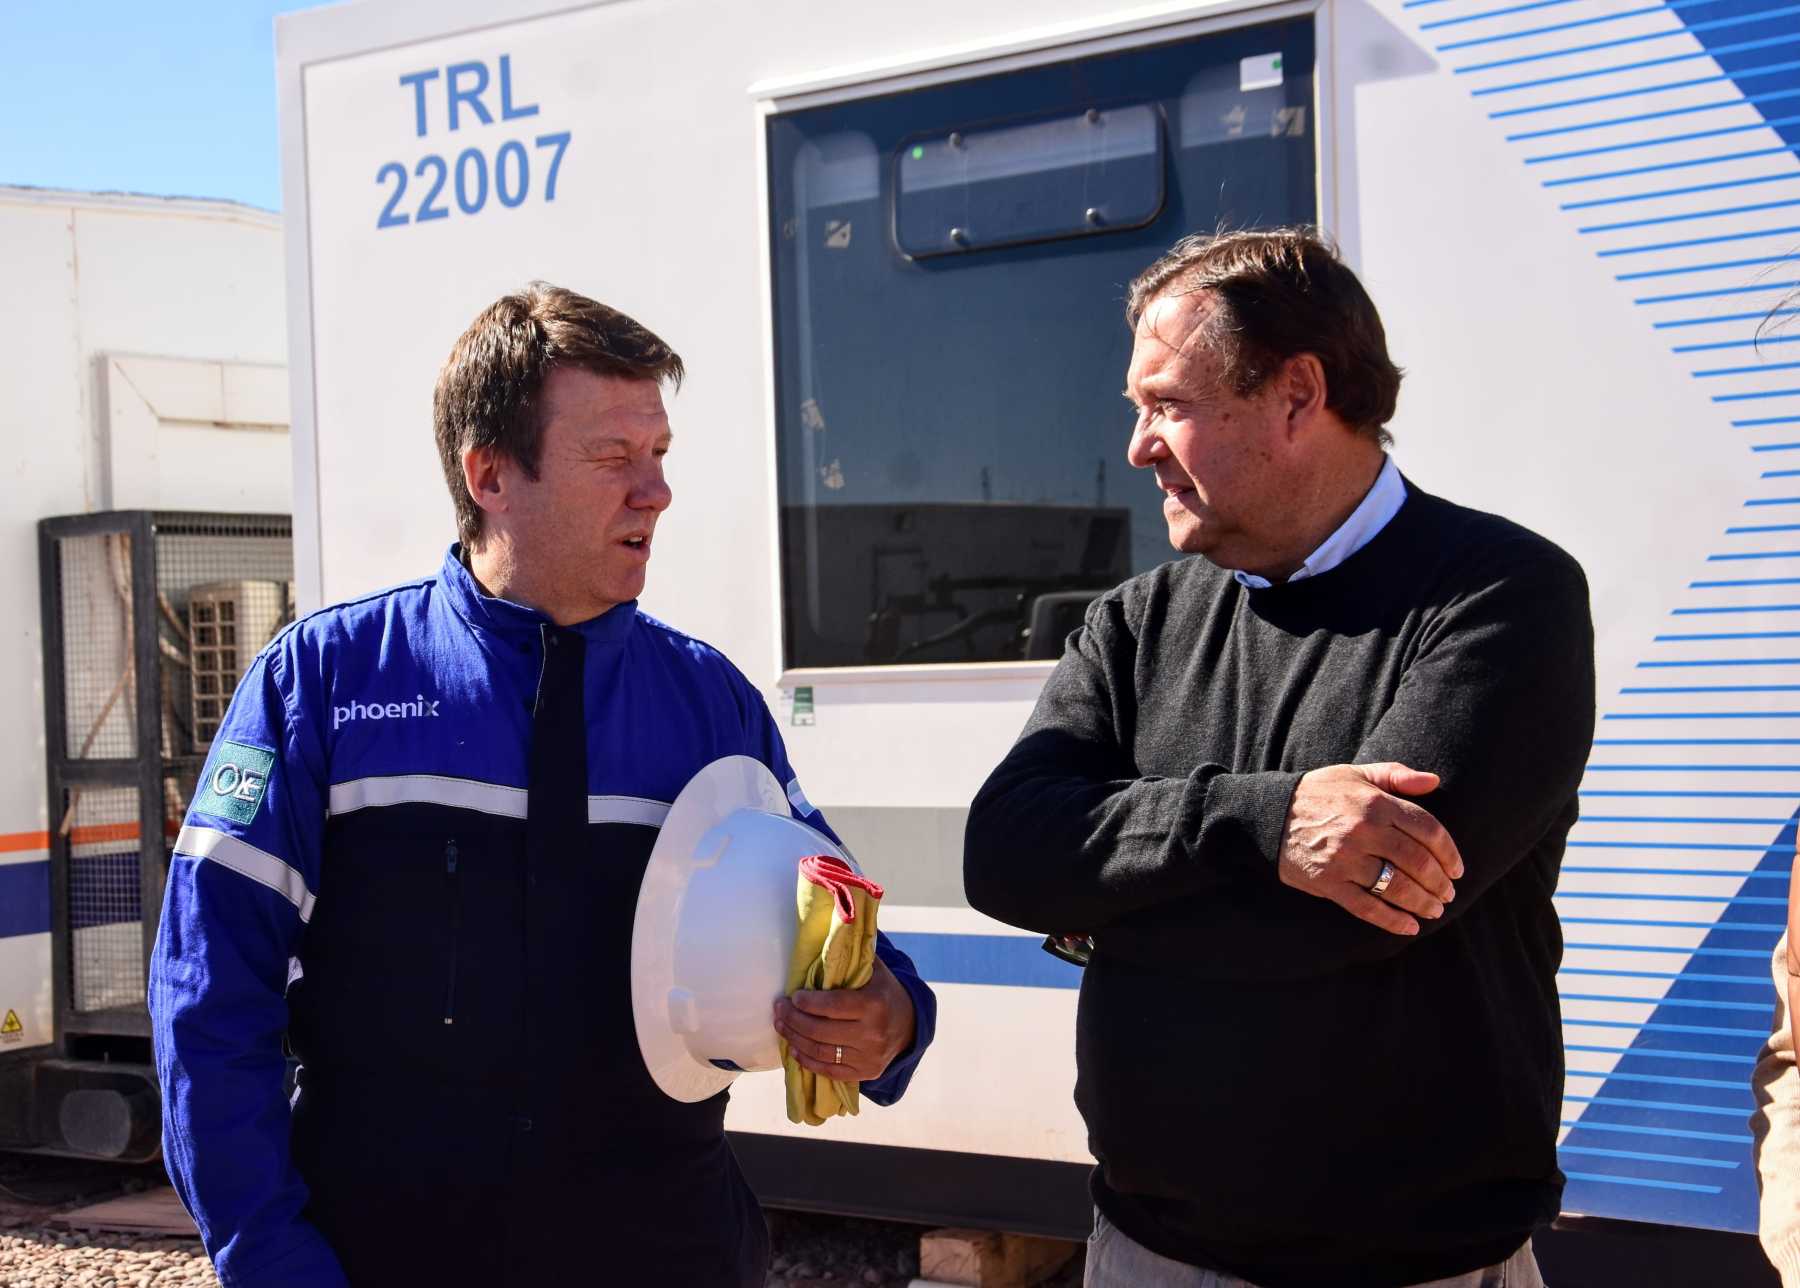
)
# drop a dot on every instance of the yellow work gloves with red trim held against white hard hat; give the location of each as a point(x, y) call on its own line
point(834, 949)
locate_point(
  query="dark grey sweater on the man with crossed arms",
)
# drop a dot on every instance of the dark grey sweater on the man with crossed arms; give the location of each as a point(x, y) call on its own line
point(1273, 1087)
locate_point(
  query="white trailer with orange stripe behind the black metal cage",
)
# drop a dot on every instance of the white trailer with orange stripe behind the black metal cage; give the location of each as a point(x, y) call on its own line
point(143, 362)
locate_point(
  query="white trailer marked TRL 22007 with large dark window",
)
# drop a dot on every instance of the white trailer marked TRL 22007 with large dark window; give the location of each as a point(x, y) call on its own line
point(892, 246)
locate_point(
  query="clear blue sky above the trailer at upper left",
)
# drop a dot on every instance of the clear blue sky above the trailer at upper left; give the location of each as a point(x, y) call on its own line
point(174, 98)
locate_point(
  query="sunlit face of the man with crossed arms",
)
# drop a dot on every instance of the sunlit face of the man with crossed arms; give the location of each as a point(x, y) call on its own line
point(1219, 460)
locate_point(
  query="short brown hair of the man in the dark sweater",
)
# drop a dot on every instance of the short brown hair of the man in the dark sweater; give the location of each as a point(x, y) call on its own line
point(1282, 292)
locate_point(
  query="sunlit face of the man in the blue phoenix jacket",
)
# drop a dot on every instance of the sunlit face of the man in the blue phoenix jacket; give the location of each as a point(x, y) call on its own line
point(586, 524)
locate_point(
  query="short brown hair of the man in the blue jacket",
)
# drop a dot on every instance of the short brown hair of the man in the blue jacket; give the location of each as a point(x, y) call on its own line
point(492, 384)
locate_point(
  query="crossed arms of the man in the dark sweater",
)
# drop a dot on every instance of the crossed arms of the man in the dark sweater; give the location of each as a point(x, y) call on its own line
point(1471, 767)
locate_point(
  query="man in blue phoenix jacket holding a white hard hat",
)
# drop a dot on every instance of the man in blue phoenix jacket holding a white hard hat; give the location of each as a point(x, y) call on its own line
point(415, 854)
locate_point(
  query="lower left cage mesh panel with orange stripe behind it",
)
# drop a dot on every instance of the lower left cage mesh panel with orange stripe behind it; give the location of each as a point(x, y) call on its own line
point(105, 900)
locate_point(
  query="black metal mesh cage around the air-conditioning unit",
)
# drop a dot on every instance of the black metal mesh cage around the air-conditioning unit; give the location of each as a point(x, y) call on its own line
point(150, 620)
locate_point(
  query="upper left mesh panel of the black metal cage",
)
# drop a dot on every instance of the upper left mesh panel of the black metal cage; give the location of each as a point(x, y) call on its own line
point(100, 677)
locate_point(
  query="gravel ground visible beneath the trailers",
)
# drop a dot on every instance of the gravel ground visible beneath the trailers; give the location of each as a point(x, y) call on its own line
point(809, 1251)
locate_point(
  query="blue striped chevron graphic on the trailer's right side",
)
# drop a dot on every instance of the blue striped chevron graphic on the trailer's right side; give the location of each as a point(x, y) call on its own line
point(1651, 1134)
